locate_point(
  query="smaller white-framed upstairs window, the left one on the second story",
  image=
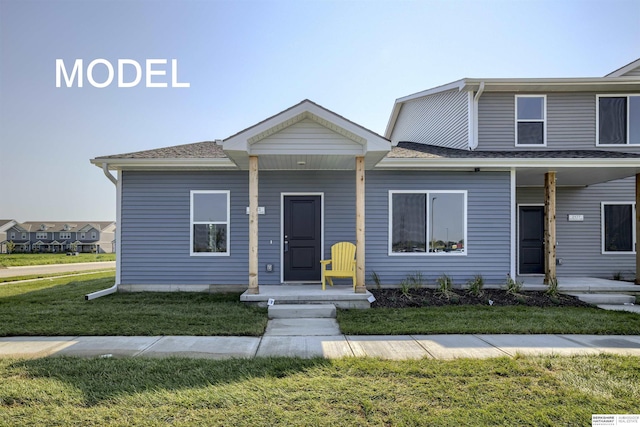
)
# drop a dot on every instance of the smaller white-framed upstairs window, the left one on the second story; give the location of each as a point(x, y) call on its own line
point(531, 115)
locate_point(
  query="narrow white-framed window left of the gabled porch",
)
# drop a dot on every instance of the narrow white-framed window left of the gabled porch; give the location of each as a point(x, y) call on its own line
point(209, 222)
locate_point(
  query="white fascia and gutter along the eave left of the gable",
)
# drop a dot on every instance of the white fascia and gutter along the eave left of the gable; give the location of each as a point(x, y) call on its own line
point(168, 164)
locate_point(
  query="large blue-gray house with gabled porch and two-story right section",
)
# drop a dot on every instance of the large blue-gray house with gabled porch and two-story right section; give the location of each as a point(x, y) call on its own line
point(466, 180)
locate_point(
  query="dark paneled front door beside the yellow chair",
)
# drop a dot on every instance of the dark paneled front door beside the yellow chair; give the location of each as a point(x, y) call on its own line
point(302, 238)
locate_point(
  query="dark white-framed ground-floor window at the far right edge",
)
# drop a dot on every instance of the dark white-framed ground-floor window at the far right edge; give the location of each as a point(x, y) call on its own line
point(618, 227)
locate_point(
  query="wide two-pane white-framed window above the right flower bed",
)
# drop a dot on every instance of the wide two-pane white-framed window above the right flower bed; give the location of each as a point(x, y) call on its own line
point(427, 222)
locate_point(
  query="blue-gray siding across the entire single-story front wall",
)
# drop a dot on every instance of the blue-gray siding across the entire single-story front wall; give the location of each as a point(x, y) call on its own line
point(155, 224)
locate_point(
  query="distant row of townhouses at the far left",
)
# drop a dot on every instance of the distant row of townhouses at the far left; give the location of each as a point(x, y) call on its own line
point(36, 236)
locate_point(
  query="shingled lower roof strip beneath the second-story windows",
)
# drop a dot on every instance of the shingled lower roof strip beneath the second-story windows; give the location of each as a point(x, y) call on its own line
point(408, 150)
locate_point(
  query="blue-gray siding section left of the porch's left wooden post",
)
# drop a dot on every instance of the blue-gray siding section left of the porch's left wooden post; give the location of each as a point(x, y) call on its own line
point(155, 246)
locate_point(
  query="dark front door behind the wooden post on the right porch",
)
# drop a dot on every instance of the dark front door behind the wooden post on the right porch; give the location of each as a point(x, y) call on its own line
point(531, 243)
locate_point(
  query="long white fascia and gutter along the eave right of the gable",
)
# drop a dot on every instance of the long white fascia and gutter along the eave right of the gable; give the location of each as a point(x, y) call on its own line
point(425, 163)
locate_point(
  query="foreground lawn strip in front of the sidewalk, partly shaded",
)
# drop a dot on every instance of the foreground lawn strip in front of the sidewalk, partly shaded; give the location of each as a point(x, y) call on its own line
point(348, 392)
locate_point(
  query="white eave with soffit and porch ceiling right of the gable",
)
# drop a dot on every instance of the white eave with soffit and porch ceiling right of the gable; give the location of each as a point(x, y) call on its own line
point(529, 171)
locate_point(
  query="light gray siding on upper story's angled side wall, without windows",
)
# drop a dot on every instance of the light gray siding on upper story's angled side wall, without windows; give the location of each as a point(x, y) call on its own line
point(441, 119)
